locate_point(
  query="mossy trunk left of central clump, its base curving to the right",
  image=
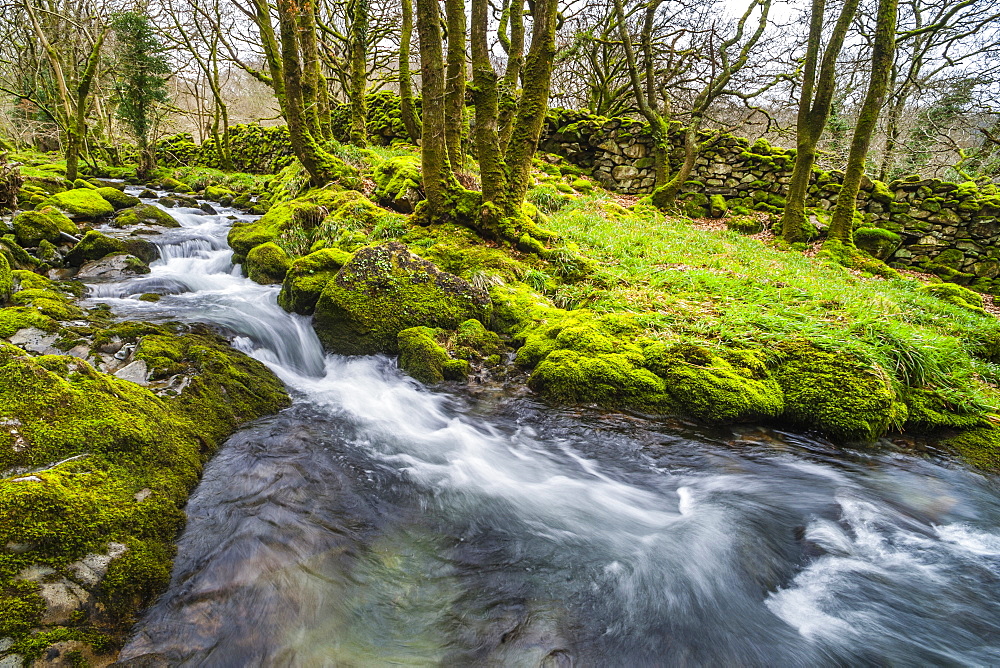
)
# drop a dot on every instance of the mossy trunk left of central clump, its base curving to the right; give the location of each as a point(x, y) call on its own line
point(323, 168)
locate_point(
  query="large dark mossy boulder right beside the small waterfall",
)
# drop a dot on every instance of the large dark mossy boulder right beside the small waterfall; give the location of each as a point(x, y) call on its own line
point(386, 289)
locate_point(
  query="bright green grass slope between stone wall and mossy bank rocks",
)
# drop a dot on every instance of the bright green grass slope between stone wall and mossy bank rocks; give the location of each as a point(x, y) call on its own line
point(725, 289)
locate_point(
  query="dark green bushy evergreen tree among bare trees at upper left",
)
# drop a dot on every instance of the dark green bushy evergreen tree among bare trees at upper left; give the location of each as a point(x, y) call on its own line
point(140, 82)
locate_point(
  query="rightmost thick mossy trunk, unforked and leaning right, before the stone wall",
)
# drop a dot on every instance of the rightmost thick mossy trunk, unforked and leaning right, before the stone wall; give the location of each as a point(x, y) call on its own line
point(883, 53)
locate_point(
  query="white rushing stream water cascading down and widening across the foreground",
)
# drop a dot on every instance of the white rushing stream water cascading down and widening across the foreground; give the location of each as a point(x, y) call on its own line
point(376, 522)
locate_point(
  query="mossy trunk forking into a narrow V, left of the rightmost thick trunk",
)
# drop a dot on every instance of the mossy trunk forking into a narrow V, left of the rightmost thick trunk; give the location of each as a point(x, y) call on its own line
point(815, 100)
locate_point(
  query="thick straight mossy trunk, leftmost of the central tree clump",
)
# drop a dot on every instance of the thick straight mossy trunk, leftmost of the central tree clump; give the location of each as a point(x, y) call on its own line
point(438, 178)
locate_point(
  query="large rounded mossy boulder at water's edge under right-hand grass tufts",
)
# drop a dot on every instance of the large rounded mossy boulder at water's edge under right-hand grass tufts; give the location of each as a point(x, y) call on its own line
point(841, 396)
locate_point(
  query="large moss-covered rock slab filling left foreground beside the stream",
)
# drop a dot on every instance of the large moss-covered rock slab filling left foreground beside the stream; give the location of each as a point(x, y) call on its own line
point(111, 462)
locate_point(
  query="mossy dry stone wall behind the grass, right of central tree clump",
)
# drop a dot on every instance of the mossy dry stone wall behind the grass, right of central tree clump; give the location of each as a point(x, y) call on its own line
point(949, 229)
